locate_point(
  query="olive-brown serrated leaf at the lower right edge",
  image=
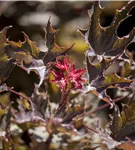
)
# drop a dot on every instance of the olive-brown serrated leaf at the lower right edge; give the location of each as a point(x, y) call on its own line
point(123, 123)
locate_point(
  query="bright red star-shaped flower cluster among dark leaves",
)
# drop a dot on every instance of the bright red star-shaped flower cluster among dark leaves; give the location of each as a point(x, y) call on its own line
point(67, 74)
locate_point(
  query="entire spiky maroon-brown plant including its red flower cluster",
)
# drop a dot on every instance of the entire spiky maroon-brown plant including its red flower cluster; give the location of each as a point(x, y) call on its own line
point(70, 122)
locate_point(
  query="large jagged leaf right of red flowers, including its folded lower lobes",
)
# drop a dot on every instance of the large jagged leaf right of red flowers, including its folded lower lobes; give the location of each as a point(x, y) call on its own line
point(105, 48)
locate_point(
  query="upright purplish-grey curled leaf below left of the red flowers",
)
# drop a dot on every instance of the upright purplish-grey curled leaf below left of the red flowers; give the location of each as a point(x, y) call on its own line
point(39, 111)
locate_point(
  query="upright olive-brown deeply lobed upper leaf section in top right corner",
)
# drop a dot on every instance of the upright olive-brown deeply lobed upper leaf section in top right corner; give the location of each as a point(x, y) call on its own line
point(104, 40)
